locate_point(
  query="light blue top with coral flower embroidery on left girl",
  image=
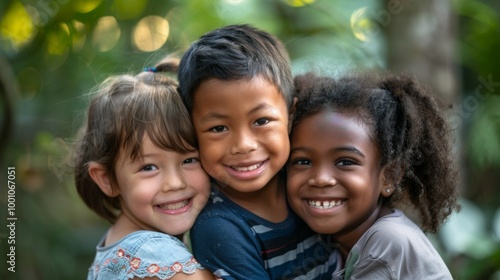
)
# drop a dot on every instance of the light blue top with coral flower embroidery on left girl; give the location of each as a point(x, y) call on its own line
point(142, 254)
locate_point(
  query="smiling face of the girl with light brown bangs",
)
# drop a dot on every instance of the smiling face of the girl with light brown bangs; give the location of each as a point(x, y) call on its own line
point(163, 190)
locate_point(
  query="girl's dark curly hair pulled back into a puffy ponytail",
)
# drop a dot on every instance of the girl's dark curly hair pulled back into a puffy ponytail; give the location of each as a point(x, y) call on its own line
point(407, 126)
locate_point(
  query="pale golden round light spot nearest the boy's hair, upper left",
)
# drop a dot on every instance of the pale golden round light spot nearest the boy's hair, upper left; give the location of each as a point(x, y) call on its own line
point(150, 33)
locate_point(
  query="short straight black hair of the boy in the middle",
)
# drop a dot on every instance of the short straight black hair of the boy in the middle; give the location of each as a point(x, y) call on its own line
point(235, 52)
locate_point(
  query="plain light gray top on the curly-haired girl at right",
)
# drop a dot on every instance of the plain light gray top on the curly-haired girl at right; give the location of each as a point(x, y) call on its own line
point(394, 248)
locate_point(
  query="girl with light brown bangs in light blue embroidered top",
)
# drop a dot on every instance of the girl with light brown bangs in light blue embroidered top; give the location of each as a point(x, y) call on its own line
point(137, 155)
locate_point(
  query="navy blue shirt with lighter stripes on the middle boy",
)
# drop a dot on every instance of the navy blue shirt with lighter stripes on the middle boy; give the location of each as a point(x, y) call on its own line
point(234, 243)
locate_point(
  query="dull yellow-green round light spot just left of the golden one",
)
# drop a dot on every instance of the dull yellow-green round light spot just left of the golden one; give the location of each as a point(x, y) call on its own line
point(106, 34)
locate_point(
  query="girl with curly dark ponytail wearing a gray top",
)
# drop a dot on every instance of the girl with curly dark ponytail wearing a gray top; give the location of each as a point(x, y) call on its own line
point(359, 147)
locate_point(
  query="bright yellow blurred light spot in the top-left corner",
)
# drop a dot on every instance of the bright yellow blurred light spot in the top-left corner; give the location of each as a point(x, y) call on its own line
point(16, 28)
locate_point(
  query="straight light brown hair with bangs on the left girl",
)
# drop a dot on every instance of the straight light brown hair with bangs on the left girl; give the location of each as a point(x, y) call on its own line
point(123, 110)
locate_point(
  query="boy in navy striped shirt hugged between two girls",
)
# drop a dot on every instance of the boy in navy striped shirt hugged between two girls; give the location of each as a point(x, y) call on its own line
point(237, 84)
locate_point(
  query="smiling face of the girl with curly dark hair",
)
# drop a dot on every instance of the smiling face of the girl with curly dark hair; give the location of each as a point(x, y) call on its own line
point(334, 180)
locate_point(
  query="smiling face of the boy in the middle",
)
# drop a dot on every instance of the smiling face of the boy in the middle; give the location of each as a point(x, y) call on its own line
point(242, 129)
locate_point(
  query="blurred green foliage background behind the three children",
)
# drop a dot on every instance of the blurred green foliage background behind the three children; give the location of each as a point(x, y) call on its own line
point(48, 68)
